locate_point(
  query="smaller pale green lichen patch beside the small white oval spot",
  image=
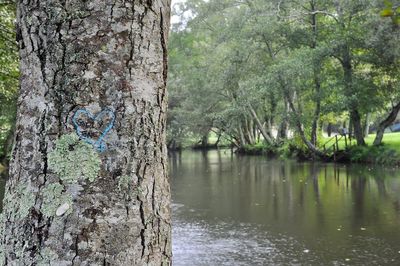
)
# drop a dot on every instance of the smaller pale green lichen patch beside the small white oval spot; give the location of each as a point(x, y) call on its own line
point(53, 197)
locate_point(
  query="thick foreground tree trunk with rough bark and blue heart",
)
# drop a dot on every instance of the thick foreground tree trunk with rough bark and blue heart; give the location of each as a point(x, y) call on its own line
point(94, 69)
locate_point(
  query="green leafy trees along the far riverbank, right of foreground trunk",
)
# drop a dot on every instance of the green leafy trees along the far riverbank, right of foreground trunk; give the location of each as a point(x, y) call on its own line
point(229, 57)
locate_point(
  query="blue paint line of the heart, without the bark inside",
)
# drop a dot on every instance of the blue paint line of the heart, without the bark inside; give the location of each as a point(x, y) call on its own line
point(99, 143)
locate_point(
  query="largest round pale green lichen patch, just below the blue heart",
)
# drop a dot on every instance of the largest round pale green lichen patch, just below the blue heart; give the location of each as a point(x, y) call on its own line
point(73, 159)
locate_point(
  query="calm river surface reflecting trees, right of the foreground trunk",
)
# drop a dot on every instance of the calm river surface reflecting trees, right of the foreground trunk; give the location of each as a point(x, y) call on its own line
point(244, 210)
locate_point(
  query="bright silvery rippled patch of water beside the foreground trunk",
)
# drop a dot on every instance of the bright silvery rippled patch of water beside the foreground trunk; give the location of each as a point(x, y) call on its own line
point(232, 244)
